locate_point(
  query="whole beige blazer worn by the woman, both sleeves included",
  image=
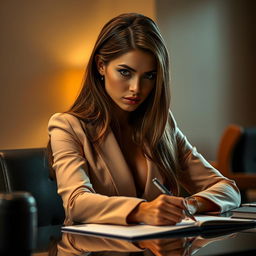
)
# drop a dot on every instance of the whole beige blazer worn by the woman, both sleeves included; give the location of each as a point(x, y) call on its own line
point(95, 182)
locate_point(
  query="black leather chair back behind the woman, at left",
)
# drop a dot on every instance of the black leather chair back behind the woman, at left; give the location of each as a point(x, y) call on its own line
point(28, 170)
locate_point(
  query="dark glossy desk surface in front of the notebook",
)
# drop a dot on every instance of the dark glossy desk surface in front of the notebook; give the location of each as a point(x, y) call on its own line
point(52, 242)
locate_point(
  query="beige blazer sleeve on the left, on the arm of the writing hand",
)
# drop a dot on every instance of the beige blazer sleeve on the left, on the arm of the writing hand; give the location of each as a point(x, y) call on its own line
point(81, 202)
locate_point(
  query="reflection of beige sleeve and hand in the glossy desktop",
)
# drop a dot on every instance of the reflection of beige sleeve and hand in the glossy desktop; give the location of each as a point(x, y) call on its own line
point(74, 245)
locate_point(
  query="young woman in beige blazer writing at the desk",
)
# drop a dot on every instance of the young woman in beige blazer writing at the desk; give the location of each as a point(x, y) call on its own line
point(120, 134)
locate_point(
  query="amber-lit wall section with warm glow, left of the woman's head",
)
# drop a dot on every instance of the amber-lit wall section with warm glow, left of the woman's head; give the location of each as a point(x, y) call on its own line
point(44, 48)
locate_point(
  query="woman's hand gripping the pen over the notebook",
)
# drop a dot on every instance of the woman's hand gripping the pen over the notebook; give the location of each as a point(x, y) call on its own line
point(164, 210)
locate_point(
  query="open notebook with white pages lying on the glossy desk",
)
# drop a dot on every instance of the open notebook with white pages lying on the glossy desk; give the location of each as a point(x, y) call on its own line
point(205, 224)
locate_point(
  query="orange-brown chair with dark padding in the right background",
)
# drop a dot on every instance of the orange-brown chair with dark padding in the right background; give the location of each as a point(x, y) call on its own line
point(236, 157)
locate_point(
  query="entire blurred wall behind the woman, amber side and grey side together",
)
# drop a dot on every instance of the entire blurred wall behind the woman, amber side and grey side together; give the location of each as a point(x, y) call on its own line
point(45, 45)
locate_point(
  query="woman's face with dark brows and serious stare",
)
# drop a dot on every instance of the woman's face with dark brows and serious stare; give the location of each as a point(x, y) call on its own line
point(129, 78)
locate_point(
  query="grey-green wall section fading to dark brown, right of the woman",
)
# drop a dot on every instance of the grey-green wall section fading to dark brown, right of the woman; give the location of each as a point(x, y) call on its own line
point(212, 47)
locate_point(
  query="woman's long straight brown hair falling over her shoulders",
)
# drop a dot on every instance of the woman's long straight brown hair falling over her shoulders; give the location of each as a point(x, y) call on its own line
point(152, 127)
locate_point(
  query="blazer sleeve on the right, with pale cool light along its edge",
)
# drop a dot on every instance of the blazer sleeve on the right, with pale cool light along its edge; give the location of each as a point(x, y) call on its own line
point(201, 179)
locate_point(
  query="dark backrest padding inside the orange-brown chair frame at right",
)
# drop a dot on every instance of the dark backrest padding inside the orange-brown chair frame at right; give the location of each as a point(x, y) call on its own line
point(244, 153)
